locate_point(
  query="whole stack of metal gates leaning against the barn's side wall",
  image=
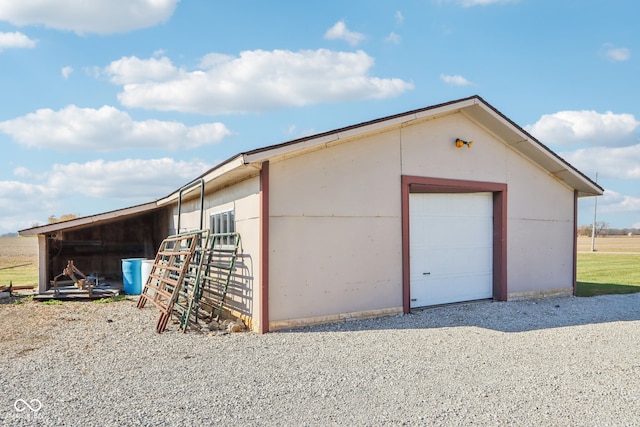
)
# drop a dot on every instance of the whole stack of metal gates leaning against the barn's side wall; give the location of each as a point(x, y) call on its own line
point(190, 277)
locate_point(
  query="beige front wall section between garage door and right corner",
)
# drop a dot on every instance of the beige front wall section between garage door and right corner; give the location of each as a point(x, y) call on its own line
point(540, 232)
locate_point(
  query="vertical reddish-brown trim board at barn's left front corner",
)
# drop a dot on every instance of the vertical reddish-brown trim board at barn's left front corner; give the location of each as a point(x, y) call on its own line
point(264, 248)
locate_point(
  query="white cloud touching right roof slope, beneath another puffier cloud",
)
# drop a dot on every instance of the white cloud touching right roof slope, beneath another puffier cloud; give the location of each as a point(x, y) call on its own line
point(620, 162)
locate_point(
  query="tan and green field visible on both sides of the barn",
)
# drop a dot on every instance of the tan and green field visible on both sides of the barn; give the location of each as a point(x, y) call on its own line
point(613, 268)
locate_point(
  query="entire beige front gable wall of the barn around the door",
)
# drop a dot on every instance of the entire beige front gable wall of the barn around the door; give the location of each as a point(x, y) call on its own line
point(335, 227)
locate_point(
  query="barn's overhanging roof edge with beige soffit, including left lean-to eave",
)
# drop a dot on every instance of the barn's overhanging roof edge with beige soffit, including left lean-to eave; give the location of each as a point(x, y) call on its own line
point(475, 108)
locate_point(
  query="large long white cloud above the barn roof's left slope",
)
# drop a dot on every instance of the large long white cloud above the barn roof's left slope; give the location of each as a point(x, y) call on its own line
point(255, 81)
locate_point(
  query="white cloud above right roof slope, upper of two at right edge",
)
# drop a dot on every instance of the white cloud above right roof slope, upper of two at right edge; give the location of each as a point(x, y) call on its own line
point(586, 127)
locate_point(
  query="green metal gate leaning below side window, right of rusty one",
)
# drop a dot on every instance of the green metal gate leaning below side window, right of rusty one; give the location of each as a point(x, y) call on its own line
point(206, 298)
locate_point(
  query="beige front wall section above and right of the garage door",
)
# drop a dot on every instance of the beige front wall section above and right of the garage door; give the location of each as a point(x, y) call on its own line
point(540, 221)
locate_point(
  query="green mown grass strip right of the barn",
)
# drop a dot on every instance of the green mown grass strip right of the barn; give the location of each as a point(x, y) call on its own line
point(600, 274)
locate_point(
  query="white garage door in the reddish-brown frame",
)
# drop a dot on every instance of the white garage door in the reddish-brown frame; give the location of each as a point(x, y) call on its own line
point(451, 247)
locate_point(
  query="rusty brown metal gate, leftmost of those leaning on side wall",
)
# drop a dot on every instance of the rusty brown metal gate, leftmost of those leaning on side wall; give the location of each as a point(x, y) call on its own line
point(177, 262)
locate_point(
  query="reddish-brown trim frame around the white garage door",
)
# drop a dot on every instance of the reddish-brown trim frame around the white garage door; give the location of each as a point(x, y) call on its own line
point(418, 184)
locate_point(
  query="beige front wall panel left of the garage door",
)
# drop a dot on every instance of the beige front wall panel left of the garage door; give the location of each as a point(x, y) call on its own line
point(335, 229)
